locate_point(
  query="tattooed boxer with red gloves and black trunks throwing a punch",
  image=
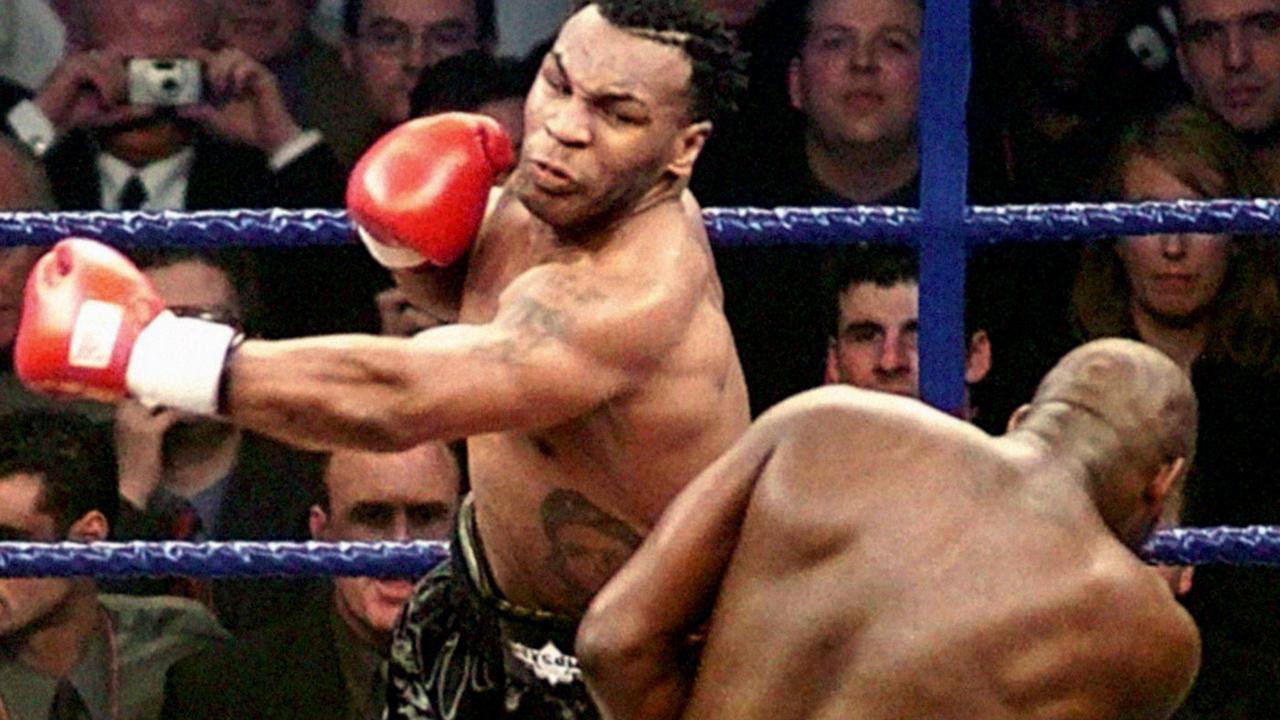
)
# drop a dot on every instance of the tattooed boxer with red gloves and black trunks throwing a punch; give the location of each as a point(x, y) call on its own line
point(591, 364)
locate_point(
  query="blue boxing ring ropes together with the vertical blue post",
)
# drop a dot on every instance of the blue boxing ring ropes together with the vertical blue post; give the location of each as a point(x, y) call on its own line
point(944, 230)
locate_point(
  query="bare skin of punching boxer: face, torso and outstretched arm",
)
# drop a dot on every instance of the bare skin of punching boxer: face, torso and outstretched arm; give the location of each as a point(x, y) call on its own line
point(591, 368)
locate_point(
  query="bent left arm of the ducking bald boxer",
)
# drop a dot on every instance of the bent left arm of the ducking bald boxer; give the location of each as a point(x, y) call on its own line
point(633, 640)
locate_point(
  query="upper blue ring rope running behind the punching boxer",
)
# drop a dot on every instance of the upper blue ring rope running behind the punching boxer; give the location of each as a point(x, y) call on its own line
point(729, 227)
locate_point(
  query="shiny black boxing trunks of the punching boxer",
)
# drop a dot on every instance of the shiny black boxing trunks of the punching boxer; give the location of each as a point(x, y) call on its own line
point(461, 651)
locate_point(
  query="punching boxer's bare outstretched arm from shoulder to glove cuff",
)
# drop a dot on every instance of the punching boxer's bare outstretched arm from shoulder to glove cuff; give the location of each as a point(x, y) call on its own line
point(555, 352)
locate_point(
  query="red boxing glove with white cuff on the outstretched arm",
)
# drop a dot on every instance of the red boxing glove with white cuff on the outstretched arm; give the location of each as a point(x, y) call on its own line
point(93, 326)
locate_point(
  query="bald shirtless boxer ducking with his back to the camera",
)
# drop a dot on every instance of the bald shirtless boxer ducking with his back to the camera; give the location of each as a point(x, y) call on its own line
point(867, 558)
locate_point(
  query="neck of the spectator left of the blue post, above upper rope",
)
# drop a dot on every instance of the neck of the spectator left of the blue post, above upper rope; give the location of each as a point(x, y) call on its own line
point(863, 172)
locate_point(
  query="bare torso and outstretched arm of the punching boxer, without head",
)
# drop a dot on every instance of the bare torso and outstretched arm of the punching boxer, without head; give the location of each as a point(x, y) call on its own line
point(607, 371)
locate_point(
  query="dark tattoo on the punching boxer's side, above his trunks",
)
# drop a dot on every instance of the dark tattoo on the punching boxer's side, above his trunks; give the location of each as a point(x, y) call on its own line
point(588, 545)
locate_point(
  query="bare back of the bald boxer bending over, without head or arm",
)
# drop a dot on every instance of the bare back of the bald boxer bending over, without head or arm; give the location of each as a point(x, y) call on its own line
point(918, 568)
